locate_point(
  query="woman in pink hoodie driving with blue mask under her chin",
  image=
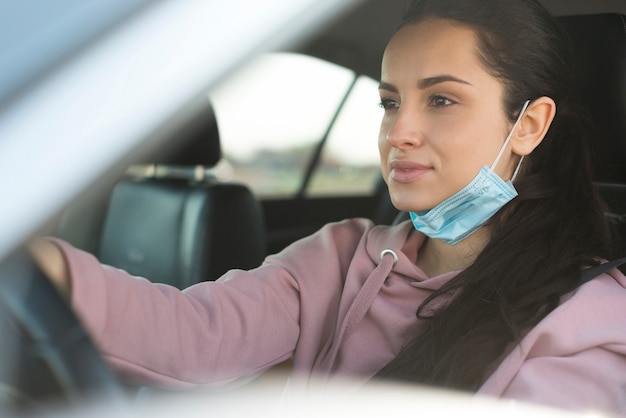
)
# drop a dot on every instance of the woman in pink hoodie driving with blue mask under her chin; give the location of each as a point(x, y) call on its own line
point(484, 143)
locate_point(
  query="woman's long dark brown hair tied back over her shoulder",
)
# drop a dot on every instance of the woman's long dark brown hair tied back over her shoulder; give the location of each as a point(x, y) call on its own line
point(542, 239)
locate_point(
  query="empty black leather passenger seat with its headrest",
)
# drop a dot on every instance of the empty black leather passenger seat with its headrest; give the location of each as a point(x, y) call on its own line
point(171, 220)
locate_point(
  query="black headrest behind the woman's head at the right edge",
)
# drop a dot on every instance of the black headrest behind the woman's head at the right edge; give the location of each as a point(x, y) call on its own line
point(599, 43)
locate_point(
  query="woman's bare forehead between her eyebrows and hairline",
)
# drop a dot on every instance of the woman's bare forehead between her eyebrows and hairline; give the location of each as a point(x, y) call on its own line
point(433, 47)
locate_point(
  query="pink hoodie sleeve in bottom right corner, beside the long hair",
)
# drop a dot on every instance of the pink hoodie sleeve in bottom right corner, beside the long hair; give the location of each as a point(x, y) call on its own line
point(576, 357)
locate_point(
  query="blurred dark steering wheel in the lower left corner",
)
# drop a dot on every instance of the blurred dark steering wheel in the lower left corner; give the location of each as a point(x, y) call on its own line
point(46, 352)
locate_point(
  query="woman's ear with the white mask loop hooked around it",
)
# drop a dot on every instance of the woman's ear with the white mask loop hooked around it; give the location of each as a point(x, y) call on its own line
point(533, 126)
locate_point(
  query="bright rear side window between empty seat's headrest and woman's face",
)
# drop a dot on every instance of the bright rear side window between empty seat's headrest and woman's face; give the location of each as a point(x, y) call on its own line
point(285, 110)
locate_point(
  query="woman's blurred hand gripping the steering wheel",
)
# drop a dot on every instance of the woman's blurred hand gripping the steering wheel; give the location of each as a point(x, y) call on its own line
point(50, 260)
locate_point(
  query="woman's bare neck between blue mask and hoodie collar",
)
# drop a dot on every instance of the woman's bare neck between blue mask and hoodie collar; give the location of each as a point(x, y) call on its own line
point(436, 257)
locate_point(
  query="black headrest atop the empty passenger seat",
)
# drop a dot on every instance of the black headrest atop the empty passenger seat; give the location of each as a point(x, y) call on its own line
point(196, 142)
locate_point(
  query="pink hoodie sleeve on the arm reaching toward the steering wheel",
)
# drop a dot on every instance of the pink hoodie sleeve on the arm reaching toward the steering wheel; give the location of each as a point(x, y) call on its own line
point(215, 333)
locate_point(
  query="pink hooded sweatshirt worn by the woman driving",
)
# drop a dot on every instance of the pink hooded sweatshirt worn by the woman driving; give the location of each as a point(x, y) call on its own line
point(338, 307)
